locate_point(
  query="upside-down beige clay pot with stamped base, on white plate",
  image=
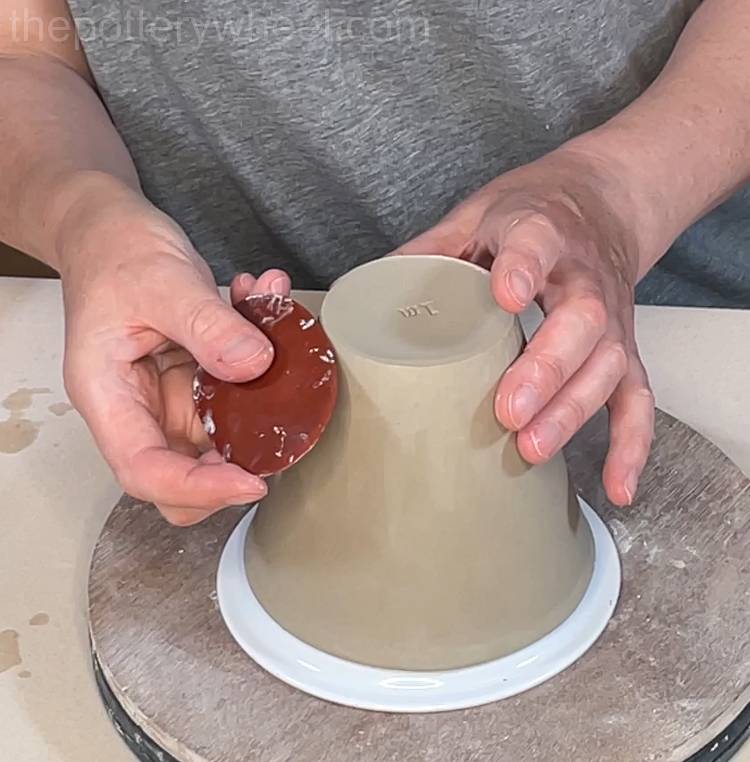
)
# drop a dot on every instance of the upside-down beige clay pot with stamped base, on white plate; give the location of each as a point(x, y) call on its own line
point(386, 543)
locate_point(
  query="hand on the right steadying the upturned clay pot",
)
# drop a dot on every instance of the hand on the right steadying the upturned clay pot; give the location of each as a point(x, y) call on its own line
point(558, 230)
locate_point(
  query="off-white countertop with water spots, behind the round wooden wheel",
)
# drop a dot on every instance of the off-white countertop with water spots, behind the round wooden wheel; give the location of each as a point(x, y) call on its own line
point(56, 492)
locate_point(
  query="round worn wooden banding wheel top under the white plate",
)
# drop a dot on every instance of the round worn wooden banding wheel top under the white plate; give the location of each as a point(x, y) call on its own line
point(668, 680)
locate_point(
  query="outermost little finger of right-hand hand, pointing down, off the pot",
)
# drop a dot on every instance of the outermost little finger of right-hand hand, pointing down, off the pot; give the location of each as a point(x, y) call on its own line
point(631, 431)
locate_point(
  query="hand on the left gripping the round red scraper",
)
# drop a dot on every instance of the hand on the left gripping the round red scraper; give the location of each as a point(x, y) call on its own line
point(139, 305)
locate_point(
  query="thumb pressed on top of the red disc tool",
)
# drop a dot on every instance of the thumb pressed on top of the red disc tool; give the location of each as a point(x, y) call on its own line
point(222, 341)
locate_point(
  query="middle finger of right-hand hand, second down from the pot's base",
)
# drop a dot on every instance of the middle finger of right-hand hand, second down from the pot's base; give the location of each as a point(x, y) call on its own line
point(557, 350)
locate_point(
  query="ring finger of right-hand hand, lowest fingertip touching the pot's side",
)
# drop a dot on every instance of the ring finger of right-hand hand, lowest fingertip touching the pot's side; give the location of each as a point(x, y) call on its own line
point(586, 392)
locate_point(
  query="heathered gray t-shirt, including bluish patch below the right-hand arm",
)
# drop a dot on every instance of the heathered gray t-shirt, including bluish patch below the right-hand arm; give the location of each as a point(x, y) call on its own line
point(315, 136)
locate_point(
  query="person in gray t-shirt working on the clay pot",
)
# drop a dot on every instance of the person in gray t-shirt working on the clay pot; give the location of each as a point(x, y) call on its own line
point(571, 147)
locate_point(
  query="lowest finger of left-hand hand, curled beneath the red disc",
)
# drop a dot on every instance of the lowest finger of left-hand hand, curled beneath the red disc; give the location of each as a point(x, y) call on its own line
point(137, 449)
